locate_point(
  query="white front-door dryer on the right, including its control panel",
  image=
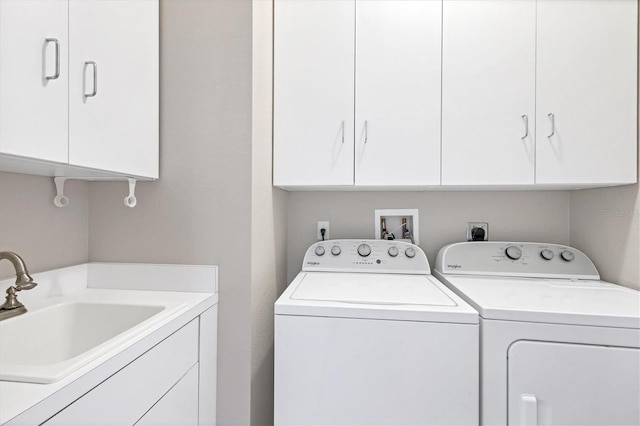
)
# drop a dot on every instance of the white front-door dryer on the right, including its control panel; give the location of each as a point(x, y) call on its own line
point(558, 345)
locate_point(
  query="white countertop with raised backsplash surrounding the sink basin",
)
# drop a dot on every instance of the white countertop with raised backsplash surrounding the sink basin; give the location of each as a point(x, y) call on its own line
point(31, 403)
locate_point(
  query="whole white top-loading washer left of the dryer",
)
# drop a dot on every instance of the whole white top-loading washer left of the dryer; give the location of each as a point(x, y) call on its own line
point(364, 335)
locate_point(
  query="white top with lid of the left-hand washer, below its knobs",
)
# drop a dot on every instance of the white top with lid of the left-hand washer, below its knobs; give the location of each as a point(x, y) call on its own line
point(374, 296)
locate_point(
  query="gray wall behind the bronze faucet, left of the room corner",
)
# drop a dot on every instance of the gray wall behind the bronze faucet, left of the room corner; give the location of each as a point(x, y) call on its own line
point(47, 237)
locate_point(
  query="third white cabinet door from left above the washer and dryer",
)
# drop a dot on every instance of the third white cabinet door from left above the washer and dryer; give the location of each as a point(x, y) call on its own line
point(488, 92)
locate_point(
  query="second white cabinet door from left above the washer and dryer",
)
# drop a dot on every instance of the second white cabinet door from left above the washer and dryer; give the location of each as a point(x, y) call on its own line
point(397, 110)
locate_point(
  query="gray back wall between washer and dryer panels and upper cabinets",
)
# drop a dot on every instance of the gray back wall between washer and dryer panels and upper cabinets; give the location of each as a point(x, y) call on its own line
point(524, 216)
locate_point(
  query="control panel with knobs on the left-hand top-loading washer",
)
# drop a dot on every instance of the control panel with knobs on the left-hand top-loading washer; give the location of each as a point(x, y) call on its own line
point(372, 256)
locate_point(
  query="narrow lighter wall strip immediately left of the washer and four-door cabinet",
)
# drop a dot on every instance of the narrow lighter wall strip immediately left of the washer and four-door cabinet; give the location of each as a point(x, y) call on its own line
point(268, 222)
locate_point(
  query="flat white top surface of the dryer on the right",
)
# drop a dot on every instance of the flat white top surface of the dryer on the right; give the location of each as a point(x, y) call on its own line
point(557, 301)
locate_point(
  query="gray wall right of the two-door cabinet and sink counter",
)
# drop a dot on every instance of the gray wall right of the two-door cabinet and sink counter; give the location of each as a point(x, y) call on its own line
point(199, 212)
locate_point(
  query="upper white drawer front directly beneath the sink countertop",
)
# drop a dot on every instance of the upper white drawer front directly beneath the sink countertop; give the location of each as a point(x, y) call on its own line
point(127, 395)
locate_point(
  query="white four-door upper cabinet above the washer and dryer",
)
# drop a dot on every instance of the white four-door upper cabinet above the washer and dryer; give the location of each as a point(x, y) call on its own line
point(456, 93)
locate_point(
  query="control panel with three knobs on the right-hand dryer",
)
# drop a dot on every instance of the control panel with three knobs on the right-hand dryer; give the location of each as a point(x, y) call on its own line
point(536, 260)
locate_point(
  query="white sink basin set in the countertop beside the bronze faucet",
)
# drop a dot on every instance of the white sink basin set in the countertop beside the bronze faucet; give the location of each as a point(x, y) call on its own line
point(46, 345)
